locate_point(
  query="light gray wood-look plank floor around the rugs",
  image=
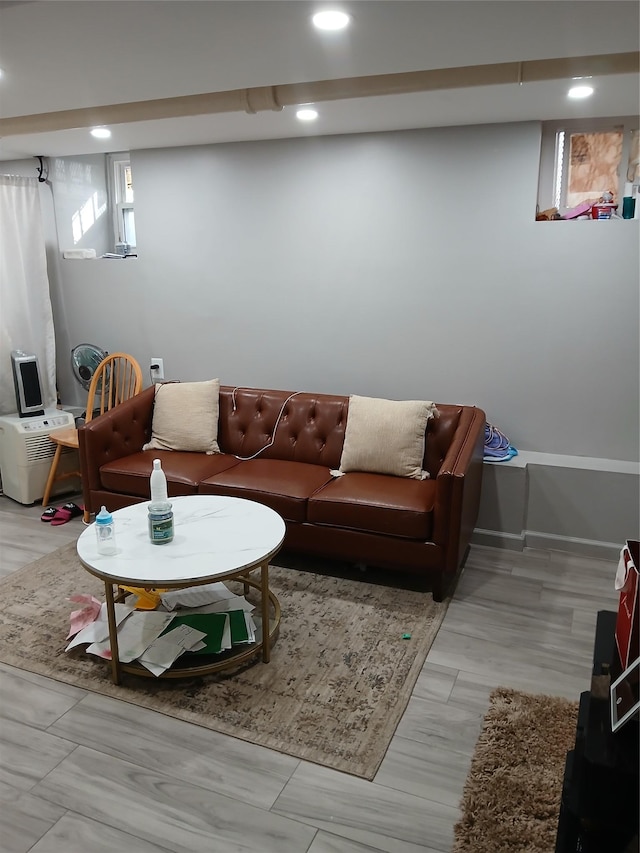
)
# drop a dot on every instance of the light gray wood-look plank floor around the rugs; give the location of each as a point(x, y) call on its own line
point(80, 773)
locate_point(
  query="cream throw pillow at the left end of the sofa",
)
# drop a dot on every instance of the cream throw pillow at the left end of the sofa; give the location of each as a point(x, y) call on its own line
point(185, 417)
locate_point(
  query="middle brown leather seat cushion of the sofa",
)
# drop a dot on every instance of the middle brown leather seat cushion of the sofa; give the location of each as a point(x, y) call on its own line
point(283, 485)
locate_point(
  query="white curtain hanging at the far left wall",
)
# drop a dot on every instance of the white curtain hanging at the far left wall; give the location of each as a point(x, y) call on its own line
point(26, 318)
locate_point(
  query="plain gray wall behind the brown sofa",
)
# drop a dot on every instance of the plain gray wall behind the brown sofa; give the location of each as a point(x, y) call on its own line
point(401, 265)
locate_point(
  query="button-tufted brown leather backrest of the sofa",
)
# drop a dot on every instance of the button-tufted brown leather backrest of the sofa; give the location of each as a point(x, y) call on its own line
point(308, 427)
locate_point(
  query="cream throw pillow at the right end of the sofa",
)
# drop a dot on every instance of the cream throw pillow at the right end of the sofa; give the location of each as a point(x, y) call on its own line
point(386, 437)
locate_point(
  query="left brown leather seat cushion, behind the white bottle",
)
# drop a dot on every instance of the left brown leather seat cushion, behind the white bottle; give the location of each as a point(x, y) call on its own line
point(183, 470)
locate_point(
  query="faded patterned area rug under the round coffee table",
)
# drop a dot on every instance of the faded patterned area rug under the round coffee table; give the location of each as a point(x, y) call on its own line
point(340, 676)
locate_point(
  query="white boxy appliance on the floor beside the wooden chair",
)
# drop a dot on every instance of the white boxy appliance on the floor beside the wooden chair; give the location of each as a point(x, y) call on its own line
point(26, 453)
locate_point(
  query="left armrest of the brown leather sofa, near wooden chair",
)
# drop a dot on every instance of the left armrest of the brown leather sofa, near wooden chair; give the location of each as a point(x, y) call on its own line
point(117, 433)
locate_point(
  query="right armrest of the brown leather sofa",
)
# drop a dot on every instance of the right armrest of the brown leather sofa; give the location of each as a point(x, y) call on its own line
point(459, 481)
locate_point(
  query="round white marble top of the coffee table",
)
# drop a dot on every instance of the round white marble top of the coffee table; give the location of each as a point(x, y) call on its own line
point(213, 536)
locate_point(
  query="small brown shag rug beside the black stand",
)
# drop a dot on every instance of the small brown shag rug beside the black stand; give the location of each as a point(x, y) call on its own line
point(511, 798)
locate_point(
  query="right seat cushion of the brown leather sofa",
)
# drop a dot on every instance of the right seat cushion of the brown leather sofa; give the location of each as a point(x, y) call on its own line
point(376, 503)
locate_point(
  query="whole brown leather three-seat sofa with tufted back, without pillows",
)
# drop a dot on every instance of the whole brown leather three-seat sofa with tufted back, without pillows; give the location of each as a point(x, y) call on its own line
point(418, 526)
